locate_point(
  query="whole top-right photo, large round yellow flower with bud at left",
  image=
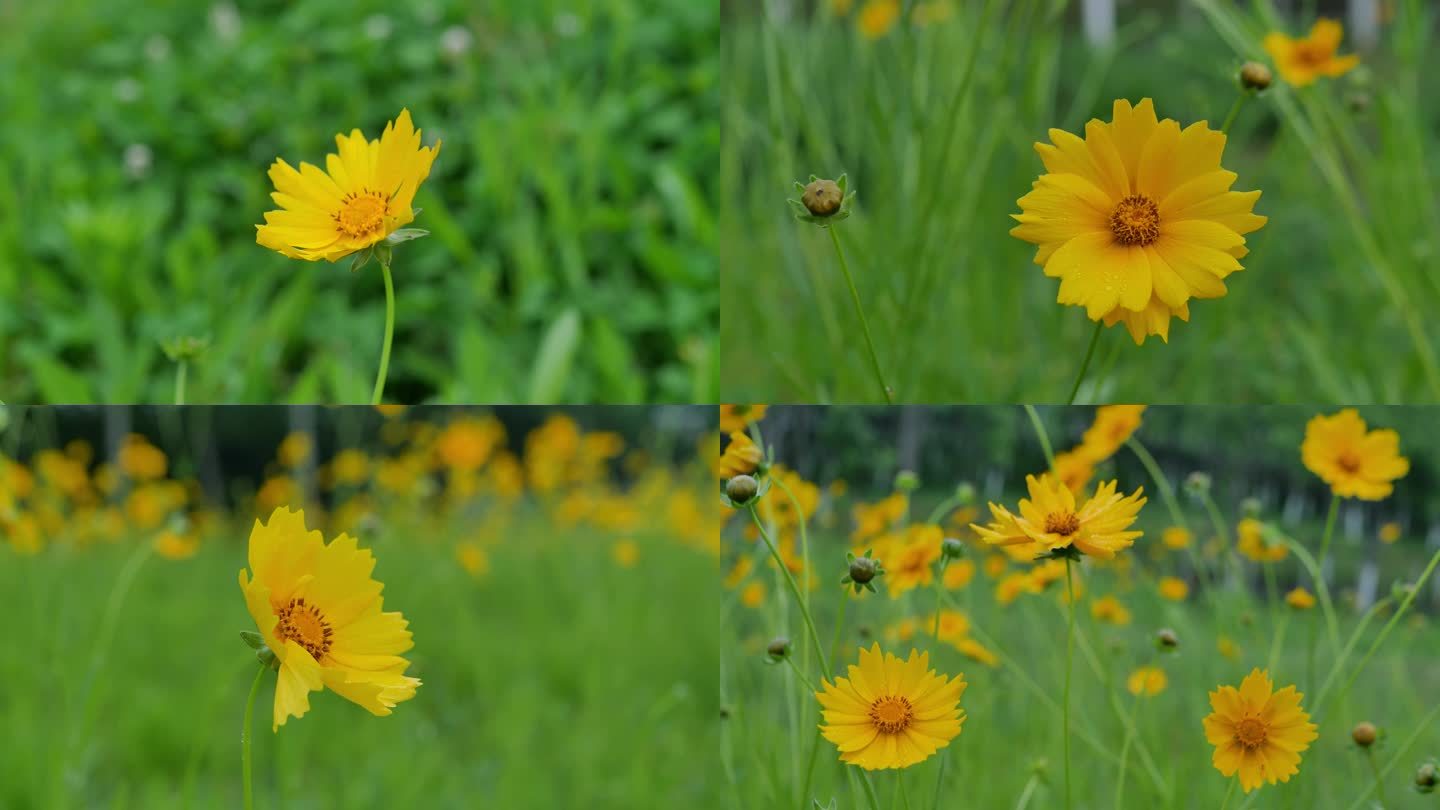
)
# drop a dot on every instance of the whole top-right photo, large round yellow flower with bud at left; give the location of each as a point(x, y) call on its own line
point(1209, 202)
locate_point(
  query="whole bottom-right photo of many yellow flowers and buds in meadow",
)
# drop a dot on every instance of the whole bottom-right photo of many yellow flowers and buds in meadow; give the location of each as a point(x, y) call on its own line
point(1058, 609)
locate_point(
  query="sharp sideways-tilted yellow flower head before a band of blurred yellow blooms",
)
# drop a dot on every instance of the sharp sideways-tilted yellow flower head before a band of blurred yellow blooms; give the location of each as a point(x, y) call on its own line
point(319, 612)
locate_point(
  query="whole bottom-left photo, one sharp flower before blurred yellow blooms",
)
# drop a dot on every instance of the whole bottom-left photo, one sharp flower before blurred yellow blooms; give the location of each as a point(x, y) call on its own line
point(515, 659)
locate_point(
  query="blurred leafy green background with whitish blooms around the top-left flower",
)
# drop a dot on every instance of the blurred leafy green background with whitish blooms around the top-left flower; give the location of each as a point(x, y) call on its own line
point(572, 207)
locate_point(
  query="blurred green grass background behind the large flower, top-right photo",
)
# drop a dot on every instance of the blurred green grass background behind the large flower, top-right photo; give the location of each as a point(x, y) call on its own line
point(1338, 290)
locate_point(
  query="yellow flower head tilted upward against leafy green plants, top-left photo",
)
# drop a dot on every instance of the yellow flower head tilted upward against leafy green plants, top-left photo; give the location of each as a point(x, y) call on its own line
point(364, 197)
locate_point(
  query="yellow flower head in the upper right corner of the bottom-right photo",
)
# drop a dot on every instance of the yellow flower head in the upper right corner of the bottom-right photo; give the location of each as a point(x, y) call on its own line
point(1356, 463)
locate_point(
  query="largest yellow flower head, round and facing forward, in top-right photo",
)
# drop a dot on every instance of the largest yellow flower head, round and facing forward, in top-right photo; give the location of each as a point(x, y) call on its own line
point(1137, 218)
